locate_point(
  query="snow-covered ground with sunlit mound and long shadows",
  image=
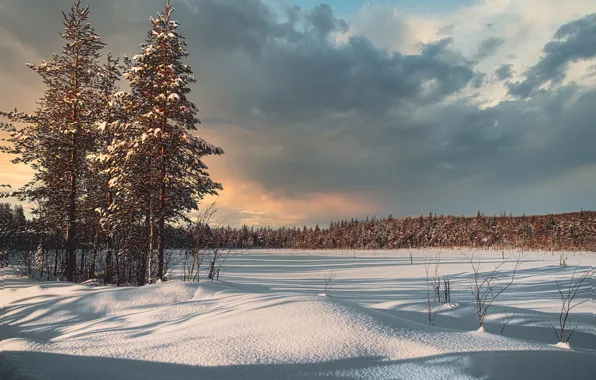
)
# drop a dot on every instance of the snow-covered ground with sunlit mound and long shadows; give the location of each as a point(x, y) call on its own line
point(266, 318)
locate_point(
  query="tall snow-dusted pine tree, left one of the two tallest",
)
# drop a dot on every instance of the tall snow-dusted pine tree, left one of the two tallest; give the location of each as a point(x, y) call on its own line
point(60, 134)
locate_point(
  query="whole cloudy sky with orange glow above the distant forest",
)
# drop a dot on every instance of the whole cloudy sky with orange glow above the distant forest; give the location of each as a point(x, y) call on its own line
point(353, 108)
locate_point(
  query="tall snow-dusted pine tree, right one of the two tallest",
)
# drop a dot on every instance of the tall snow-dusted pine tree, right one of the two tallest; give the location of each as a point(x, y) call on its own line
point(163, 119)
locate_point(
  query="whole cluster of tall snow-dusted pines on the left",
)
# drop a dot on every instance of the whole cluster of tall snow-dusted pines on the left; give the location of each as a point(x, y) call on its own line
point(111, 168)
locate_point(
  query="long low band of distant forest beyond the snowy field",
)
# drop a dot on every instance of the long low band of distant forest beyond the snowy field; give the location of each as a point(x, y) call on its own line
point(569, 232)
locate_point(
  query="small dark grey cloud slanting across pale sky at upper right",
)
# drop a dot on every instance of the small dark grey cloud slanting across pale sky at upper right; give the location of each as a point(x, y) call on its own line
point(574, 41)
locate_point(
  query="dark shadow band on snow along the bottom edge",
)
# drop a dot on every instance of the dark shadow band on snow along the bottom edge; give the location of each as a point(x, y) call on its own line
point(510, 365)
